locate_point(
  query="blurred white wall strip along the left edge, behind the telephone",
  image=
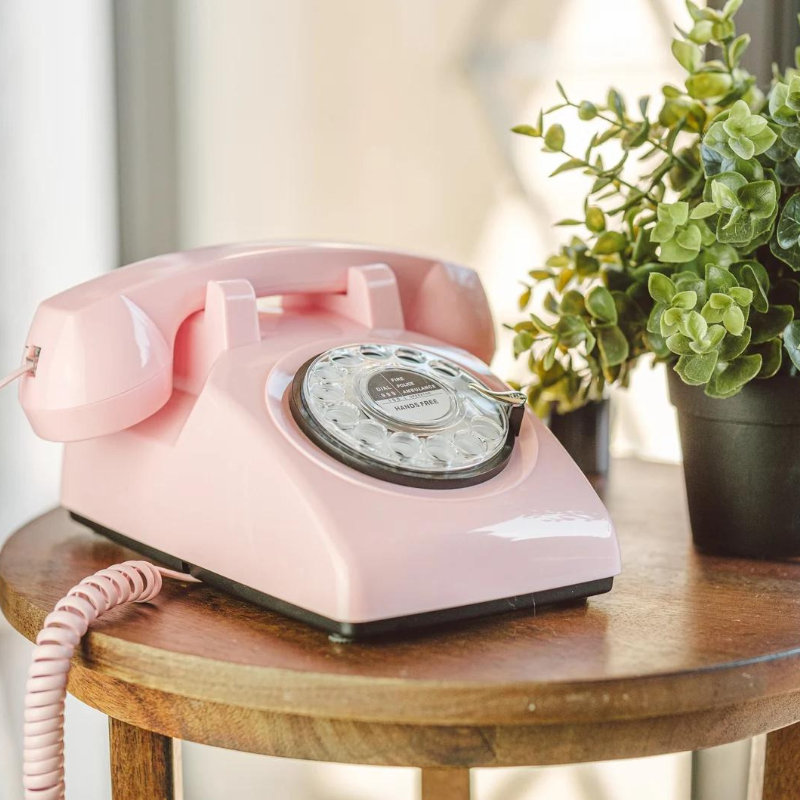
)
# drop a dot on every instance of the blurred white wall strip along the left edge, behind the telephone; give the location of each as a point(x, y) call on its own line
point(58, 223)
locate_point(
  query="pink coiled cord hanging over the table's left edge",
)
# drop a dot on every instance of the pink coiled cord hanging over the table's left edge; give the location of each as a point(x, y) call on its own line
point(43, 749)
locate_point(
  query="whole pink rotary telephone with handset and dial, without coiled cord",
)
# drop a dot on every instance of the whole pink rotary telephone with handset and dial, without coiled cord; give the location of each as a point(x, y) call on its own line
point(347, 459)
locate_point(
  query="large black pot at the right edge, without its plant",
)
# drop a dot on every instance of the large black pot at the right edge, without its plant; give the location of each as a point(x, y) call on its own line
point(741, 461)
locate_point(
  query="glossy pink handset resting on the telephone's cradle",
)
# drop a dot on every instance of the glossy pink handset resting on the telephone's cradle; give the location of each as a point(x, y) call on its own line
point(105, 348)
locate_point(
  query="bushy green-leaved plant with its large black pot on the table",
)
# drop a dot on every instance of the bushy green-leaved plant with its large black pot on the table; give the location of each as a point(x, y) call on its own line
point(687, 252)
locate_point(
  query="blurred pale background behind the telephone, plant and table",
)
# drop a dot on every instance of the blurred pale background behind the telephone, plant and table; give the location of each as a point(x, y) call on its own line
point(137, 127)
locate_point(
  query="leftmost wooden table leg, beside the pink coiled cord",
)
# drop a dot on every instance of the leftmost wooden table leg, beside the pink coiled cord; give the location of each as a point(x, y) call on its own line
point(143, 764)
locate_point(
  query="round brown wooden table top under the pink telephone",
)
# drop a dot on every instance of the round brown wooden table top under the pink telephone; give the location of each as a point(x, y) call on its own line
point(686, 651)
